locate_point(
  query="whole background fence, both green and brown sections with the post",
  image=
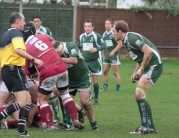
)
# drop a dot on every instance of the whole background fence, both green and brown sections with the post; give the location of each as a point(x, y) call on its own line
point(66, 23)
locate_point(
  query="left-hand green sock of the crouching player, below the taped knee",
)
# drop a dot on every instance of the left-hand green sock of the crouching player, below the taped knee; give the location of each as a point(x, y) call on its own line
point(143, 111)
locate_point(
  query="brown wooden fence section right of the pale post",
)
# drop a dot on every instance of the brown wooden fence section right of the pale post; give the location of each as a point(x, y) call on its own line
point(162, 29)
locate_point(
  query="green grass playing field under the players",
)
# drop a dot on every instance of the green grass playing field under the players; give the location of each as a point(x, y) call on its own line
point(117, 114)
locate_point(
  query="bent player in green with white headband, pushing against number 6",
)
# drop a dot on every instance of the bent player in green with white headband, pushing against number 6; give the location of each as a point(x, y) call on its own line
point(78, 76)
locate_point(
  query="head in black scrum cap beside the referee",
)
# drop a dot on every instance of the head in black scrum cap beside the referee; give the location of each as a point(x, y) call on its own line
point(29, 29)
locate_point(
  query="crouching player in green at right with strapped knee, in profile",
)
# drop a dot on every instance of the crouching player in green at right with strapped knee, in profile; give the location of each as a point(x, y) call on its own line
point(148, 69)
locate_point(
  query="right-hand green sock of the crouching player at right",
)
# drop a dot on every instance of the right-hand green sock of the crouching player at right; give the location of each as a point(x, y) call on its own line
point(149, 116)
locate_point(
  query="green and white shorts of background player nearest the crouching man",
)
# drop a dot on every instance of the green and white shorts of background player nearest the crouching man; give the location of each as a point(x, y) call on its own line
point(112, 60)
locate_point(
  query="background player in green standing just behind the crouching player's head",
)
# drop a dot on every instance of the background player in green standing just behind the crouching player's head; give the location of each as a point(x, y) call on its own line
point(111, 57)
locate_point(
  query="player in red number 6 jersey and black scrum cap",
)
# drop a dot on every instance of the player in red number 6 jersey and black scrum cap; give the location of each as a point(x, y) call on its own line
point(54, 72)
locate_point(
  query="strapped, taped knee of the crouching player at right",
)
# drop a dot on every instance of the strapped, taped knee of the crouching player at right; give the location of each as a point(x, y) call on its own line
point(141, 91)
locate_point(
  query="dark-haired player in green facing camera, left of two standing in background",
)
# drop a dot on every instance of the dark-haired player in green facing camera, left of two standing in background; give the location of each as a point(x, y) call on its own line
point(91, 44)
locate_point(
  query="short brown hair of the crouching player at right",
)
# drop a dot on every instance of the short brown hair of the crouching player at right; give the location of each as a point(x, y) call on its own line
point(121, 25)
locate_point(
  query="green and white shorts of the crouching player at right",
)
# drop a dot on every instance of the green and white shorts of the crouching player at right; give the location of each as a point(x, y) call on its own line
point(152, 73)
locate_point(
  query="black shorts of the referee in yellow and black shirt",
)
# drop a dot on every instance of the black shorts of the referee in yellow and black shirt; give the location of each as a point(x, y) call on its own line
point(14, 78)
